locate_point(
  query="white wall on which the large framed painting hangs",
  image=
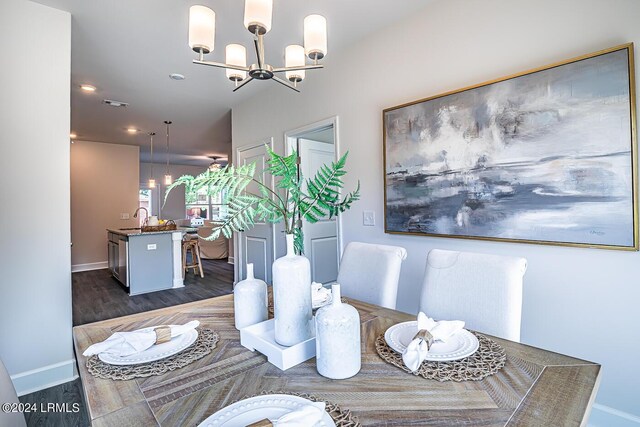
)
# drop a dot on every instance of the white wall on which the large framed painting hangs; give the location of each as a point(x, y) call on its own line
point(583, 302)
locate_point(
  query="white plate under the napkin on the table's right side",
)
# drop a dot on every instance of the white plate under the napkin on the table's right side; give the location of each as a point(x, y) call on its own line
point(460, 345)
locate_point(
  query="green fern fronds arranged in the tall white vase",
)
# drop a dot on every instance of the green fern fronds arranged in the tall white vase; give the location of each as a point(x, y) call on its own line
point(288, 202)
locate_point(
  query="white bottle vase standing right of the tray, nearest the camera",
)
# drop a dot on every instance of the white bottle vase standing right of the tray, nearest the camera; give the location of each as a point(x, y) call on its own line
point(338, 351)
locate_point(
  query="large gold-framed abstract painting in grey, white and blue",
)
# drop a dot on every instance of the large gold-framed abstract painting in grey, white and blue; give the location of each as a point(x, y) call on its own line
point(546, 156)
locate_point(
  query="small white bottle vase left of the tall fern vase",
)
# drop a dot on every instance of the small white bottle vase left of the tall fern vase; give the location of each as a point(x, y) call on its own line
point(250, 300)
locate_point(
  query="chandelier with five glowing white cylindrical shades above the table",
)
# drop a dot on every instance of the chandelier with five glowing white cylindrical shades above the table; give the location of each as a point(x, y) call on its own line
point(257, 19)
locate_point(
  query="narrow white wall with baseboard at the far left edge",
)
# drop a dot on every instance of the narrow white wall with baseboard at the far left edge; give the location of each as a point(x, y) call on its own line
point(35, 285)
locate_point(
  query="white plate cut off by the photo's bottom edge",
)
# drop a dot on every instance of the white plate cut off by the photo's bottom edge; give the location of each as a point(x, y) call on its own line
point(271, 406)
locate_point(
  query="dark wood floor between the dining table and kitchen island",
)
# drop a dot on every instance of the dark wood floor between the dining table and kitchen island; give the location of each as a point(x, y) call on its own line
point(98, 296)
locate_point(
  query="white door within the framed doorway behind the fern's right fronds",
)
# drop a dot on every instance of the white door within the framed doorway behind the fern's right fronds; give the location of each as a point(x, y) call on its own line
point(320, 239)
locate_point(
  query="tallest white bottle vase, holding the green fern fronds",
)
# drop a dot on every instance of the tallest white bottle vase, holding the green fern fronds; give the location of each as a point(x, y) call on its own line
point(292, 297)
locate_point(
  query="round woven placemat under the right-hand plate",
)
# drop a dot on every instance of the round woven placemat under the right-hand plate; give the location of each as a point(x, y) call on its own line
point(487, 360)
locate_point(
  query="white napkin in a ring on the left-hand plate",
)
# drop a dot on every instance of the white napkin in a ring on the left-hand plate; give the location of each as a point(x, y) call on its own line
point(128, 343)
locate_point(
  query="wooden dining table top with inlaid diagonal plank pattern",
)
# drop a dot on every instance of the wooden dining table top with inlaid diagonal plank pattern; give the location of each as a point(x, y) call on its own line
point(536, 387)
